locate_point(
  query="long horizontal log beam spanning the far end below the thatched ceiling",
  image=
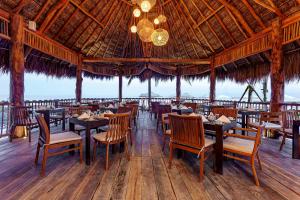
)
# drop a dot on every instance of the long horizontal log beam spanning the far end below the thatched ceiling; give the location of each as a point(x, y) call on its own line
point(147, 60)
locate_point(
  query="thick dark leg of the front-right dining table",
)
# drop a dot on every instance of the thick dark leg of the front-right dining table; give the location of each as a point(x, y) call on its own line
point(219, 150)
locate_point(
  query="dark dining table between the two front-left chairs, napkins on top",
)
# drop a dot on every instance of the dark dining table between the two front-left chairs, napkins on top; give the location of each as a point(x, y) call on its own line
point(88, 124)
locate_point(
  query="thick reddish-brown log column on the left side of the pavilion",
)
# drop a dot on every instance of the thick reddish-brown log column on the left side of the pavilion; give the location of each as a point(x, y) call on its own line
point(16, 60)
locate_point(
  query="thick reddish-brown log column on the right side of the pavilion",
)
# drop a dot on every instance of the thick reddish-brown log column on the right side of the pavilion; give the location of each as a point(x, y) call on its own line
point(277, 73)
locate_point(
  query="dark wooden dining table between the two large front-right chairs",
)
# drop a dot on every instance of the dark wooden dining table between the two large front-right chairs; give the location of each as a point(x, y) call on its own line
point(218, 147)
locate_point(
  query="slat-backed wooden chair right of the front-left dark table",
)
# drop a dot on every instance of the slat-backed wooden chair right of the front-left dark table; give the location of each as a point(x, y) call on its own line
point(116, 133)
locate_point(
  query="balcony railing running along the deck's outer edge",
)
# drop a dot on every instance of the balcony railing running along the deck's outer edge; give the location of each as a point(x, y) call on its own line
point(5, 112)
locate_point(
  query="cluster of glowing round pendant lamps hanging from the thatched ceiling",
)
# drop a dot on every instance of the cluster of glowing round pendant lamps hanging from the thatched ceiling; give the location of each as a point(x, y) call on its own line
point(145, 28)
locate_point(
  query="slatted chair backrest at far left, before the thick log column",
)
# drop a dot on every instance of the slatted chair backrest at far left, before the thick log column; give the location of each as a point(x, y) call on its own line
point(20, 116)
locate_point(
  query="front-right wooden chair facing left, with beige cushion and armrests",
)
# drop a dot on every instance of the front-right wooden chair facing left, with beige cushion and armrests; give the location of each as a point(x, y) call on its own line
point(245, 146)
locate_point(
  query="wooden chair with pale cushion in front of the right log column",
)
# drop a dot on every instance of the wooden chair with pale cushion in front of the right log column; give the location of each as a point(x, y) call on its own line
point(272, 121)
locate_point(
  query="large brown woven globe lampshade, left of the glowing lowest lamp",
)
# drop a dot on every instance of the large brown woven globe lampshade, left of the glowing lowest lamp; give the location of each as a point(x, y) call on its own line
point(145, 28)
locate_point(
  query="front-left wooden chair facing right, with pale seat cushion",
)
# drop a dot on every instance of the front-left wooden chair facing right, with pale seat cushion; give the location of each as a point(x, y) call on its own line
point(55, 141)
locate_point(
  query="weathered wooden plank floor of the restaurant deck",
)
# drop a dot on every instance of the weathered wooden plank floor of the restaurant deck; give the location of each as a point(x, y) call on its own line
point(146, 175)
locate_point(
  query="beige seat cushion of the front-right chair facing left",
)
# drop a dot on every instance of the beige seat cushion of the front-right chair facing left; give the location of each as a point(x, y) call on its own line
point(237, 144)
